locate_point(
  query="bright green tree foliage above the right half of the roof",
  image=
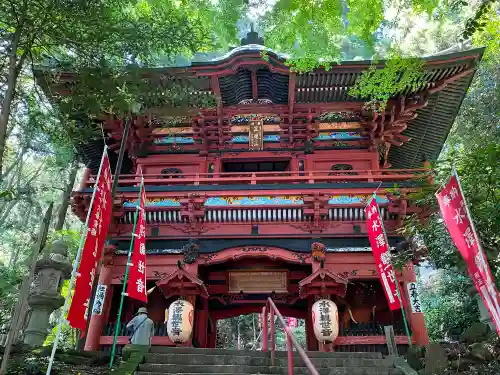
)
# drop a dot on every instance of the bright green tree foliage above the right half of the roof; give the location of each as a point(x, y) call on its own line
point(314, 34)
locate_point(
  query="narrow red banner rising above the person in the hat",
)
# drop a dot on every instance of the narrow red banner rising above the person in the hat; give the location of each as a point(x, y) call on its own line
point(136, 284)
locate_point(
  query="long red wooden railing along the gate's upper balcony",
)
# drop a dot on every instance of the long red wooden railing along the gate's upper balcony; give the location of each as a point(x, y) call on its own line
point(288, 177)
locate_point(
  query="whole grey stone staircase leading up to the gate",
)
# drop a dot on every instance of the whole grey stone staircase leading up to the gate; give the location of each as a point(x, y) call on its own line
point(190, 361)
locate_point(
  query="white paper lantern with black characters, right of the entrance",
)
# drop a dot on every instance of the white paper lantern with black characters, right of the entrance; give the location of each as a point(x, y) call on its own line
point(325, 317)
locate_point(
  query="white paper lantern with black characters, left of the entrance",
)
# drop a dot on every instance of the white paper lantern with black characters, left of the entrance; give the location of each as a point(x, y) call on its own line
point(180, 321)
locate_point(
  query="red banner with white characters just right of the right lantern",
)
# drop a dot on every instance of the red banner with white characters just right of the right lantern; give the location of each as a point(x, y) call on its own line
point(380, 251)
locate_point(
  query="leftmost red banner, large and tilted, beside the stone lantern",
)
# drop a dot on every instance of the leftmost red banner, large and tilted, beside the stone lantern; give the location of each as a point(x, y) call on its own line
point(96, 231)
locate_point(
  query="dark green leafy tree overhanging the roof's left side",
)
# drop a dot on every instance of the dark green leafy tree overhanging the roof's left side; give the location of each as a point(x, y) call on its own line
point(90, 34)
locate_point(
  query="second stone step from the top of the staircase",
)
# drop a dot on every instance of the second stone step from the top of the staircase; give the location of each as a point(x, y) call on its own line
point(251, 359)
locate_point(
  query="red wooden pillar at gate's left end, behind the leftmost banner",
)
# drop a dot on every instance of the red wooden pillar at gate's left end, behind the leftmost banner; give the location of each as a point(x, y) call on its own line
point(97, 322)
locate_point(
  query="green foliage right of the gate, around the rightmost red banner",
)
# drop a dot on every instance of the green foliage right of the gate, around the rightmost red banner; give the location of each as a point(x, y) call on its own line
point(472, 148)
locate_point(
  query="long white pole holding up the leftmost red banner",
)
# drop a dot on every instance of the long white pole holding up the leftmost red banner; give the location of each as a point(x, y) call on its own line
point(76, 263)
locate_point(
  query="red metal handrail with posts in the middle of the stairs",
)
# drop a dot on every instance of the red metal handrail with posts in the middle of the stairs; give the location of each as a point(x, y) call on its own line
point(271, 308)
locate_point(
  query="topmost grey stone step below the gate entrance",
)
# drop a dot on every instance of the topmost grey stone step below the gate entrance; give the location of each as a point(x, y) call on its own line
point(206, 351)
